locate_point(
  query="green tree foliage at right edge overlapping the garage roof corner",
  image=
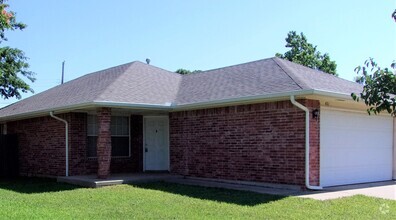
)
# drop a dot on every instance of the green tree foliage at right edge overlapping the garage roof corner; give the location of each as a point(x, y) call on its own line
point(379, 86)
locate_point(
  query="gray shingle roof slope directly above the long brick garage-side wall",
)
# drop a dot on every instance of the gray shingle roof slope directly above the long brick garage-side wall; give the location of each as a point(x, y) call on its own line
point(248, 79)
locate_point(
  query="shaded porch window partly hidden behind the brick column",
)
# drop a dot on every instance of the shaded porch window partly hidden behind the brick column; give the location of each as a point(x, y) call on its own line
point(119, 136)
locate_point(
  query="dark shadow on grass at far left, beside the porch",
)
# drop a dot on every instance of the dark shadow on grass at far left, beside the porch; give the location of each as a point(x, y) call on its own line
point(29, 185)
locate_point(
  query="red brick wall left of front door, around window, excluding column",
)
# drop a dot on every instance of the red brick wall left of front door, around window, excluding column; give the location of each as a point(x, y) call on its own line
point(42, 146)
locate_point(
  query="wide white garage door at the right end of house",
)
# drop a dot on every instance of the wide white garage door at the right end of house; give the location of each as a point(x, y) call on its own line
point(354, 147)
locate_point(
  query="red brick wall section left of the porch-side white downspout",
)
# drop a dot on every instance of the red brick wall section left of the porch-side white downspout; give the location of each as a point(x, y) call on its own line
point(41, 146)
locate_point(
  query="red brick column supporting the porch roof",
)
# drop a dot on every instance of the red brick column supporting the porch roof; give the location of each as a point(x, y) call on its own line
point(103, 147)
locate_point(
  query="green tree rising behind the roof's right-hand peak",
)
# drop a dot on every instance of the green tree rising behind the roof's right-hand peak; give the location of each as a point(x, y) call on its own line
point(306, 54)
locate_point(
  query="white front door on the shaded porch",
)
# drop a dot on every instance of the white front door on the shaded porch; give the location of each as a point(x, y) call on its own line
point(156, 143)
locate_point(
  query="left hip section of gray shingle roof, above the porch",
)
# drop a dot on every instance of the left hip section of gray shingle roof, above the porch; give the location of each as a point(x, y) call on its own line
point(133, 82)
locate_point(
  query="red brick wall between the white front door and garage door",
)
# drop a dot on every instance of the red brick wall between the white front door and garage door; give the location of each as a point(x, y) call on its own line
point(258, 142)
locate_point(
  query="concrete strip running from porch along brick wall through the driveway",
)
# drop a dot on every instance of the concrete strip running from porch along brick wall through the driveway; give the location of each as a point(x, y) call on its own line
point(385, 190)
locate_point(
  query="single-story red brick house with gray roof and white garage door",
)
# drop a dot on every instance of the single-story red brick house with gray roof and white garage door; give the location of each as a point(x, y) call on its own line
point(257, 121)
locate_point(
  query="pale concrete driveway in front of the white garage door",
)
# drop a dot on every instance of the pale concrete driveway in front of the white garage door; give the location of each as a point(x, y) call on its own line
point(384, 190)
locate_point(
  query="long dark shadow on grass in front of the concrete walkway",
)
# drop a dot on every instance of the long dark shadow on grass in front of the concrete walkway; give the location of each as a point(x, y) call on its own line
point(238, 197)
